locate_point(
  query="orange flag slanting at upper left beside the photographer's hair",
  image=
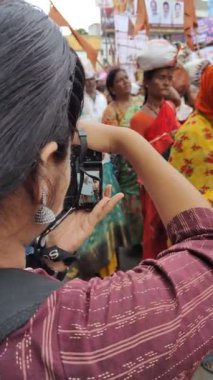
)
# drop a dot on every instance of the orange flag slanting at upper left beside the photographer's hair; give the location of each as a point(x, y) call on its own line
point(56, 16)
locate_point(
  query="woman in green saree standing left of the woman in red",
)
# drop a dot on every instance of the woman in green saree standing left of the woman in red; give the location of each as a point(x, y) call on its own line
point(123, 226)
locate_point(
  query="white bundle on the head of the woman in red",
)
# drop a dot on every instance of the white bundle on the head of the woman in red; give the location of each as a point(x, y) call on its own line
point(157, 54)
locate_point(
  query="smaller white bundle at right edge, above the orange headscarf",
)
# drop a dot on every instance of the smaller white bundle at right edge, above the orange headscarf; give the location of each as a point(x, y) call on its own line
point(195, 69)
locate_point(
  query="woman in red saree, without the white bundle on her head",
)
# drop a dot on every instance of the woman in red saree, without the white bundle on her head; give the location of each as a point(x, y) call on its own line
point(157, 123)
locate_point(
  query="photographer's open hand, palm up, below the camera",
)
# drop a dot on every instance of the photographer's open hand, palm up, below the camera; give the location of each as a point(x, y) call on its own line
point(78, 226)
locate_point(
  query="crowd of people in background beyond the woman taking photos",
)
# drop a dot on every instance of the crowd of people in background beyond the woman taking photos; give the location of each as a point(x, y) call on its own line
point(171, 106)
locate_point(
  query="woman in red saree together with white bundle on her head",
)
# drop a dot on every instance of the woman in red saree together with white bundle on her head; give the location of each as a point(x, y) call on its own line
point(157, 122)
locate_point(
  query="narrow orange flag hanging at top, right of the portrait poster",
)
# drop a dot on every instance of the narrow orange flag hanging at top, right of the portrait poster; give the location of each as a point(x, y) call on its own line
point(190, 21)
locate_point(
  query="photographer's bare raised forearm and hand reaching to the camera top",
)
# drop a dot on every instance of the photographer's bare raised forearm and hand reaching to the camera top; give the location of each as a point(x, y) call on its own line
point(169, 190)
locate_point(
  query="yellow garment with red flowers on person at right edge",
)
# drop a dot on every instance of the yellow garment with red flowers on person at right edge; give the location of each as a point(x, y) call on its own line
point(192, 153)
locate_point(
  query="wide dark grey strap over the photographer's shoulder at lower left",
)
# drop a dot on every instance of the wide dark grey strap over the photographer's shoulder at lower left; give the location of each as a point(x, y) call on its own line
point(21, 294)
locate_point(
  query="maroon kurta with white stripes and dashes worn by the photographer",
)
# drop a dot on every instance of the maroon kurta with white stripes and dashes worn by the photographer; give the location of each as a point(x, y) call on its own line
point(151, 323)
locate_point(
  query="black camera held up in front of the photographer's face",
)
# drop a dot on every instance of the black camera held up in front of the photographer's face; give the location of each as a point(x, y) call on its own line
point(85, 188)
